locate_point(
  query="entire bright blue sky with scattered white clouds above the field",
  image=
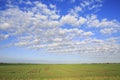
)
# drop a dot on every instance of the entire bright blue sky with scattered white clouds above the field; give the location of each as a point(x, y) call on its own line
point(60, 31)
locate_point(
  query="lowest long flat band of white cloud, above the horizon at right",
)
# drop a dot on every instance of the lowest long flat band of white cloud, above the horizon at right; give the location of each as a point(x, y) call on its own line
point(87, 49)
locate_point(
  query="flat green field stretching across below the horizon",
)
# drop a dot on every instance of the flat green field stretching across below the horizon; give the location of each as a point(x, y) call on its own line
point(59, 71)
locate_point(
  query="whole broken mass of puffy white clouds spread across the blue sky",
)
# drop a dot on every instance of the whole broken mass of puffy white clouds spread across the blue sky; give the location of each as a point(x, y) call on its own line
point(42, 27)
